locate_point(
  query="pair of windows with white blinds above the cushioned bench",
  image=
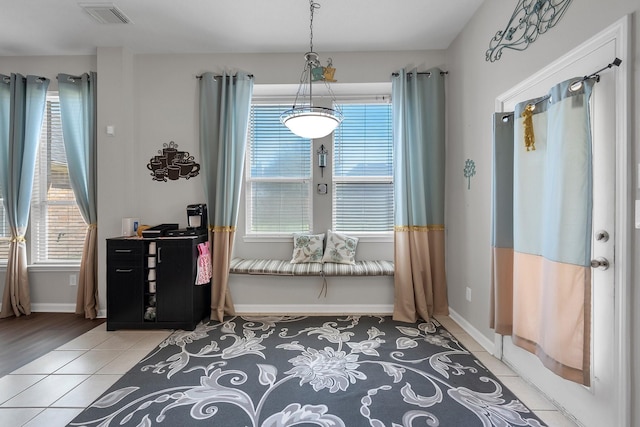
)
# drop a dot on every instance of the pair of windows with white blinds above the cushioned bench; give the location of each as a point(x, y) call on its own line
point(279, 182)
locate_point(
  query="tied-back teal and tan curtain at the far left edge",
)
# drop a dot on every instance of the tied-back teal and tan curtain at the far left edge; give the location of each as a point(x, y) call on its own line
point(22, 103)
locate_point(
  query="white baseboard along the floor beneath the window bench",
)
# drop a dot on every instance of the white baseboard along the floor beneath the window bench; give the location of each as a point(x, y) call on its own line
point(309, 309)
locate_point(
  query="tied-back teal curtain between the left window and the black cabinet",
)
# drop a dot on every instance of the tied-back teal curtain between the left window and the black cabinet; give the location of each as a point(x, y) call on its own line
point(78, 102)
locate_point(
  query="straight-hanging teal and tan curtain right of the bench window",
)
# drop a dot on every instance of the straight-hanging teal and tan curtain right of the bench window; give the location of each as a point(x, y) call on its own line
point(418, 102)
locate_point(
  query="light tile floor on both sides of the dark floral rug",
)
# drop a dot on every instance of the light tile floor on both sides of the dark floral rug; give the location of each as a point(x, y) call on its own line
point(52, 390)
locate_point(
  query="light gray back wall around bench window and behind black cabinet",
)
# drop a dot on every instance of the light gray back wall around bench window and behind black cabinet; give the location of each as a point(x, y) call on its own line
point(160, 94)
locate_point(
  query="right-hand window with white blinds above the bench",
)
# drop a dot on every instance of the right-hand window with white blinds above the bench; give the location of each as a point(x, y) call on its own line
point(363, 170)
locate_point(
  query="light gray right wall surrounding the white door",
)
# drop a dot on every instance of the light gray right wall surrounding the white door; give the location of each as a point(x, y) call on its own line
point(472, 87)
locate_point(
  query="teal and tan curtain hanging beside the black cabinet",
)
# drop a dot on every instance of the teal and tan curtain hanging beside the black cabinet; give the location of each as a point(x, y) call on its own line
point(225, 103)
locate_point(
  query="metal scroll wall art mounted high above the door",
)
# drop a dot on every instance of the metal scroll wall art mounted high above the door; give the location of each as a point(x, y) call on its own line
point(530, 19)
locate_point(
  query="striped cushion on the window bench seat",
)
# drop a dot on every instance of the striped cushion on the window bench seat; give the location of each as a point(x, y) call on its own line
point(285, 268)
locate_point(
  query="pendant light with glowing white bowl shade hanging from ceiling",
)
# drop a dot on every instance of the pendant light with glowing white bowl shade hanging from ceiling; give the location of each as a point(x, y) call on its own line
point(304, 119)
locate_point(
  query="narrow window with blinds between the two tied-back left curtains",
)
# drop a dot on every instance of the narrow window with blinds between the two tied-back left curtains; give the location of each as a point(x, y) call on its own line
point(57, 228)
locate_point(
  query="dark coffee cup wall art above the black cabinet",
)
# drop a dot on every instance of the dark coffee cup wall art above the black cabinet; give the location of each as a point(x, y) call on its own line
point(172, 164)
